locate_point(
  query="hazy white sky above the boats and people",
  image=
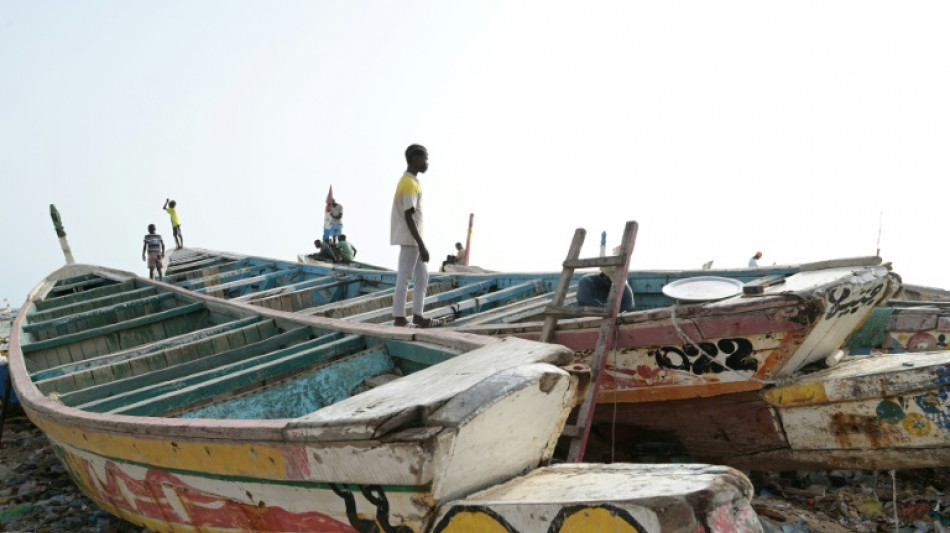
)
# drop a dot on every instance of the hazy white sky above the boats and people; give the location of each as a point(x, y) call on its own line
point(722, 127)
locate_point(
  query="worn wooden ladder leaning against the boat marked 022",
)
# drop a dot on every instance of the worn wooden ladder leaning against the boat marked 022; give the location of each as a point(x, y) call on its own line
point(580, 432)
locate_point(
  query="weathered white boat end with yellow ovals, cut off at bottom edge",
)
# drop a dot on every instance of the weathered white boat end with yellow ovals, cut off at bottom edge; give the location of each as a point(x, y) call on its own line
point(659, 498)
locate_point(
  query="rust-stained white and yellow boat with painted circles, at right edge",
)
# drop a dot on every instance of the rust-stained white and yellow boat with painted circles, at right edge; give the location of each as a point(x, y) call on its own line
point(876, 409)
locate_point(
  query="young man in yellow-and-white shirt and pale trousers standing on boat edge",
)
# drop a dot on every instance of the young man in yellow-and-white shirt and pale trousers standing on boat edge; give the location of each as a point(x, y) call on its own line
point(406, 232)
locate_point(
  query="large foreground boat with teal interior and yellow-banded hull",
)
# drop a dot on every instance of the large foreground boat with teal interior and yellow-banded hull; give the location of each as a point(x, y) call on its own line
point(181, 412)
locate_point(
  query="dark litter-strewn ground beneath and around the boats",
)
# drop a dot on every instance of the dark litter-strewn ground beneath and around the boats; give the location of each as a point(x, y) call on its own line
point(37, 496)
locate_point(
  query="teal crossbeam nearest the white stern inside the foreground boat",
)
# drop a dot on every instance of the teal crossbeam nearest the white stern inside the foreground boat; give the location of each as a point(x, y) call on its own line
point(237, 376)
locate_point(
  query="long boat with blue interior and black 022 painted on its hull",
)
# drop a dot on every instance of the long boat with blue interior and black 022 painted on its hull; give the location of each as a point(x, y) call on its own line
point(707, 366)
